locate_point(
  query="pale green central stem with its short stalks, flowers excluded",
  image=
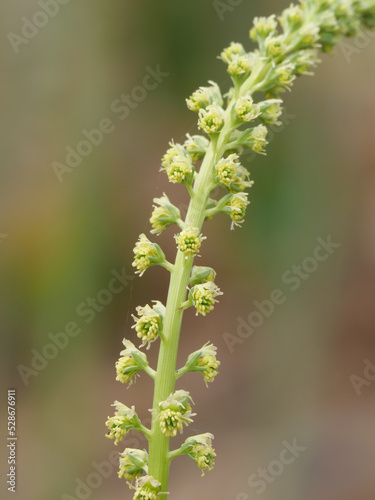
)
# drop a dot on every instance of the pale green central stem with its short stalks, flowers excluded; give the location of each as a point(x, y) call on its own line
point(166, 376)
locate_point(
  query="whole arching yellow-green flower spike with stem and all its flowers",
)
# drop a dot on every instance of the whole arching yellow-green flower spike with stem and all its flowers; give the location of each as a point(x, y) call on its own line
point(287, 47)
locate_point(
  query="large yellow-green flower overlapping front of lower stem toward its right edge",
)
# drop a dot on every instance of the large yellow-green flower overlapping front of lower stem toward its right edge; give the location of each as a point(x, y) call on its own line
point(175, 412)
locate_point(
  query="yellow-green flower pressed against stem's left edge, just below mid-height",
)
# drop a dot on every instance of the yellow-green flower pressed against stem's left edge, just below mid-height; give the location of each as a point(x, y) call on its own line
point(149, 323)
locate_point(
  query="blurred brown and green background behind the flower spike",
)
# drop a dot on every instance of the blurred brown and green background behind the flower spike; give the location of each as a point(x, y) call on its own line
point(301, 376)
